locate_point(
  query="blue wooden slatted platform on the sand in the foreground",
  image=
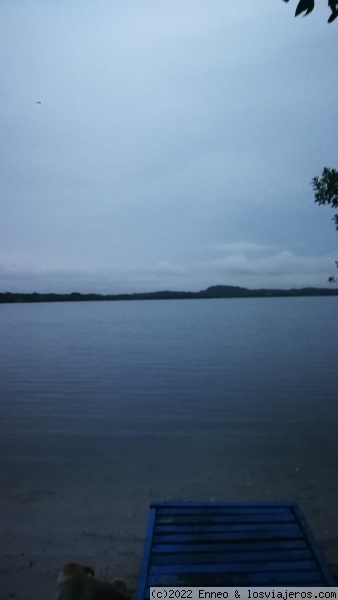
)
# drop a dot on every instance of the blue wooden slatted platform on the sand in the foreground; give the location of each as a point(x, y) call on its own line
point(230, 544)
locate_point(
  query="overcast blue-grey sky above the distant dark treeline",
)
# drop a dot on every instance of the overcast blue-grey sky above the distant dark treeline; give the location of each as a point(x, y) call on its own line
point(165, 144)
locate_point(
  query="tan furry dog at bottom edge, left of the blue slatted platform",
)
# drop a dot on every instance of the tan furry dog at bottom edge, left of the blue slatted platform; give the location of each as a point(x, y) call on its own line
point(77, 582)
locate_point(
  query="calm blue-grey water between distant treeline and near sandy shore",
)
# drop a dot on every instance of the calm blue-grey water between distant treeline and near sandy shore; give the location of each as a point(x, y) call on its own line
point(198, 384)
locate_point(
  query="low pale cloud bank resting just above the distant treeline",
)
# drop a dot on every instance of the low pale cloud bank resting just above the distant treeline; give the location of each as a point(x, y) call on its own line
point(247, 265)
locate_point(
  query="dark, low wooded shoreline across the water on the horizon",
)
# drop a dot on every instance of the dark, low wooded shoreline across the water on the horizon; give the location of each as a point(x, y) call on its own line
point(215, 291)
